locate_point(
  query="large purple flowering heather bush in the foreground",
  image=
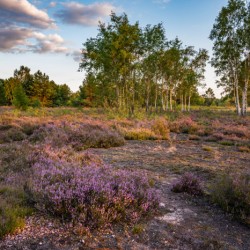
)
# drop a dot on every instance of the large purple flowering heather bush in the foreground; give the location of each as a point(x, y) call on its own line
point(91, 195)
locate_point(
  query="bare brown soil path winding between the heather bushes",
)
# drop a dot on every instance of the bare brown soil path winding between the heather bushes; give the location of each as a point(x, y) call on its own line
point(184, 222)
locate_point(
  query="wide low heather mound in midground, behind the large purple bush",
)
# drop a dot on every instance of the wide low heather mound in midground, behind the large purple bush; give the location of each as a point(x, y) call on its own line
point(78, 135)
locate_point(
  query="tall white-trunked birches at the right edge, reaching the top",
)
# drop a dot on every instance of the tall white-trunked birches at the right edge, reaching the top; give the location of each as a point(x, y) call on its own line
point(231, 58)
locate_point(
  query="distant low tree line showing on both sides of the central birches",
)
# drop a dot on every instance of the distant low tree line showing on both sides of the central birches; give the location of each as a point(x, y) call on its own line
point(36, 90)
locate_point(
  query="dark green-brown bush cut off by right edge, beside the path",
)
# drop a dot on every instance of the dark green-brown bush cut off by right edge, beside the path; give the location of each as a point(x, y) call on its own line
point(232, 193)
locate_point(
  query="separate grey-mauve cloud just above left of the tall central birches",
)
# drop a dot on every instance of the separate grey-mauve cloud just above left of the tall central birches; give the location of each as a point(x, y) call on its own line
point(86, 15)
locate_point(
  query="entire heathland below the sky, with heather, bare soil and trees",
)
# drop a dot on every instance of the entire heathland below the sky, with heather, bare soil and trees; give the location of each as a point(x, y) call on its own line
point(137, 158)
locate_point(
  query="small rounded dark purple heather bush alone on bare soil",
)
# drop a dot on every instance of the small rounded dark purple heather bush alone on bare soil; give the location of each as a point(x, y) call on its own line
point(188, 183)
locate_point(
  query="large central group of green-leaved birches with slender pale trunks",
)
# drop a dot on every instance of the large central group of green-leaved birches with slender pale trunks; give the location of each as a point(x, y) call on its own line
point(128, 67)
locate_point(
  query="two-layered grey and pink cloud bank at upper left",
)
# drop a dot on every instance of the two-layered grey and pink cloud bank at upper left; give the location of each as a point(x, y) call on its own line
point(21, 24)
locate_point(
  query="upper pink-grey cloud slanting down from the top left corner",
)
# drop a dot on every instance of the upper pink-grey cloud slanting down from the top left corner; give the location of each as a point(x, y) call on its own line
point(22, 11)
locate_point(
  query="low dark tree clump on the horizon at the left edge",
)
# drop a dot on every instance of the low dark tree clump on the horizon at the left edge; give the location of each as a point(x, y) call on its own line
point(25, 89)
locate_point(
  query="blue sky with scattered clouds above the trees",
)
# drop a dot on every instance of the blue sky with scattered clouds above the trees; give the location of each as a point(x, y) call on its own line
point(48, 35)
